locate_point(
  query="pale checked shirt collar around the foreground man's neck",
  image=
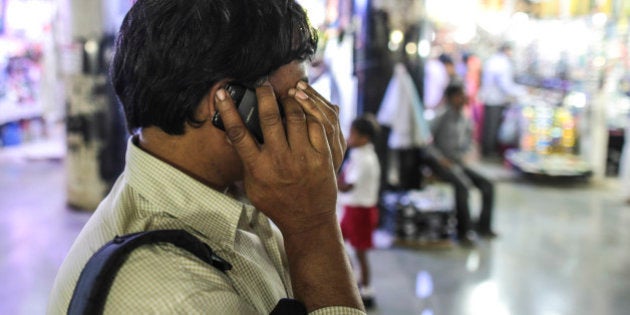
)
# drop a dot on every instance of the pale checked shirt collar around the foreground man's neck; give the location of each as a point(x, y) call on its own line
point(209, 212)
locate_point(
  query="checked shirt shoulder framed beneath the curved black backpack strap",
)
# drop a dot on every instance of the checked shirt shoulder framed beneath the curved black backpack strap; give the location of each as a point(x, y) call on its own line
point(163, 277)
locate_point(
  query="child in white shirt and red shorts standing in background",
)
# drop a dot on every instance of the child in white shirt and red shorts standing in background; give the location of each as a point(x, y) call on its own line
point(359, 183)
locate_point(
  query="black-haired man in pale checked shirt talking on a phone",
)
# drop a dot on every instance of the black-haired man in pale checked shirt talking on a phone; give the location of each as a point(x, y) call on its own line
point(266, 208)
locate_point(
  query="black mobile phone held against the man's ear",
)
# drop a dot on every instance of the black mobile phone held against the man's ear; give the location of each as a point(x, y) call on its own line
point(247, 104)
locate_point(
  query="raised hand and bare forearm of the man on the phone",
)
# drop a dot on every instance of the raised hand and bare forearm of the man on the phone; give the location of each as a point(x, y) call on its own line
point(291, 178)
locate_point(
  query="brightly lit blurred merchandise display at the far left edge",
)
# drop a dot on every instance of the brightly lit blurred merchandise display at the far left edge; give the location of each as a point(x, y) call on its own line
point(24, 28)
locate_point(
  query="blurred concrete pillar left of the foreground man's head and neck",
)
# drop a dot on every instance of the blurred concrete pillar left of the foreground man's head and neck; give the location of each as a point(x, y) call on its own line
point(96, 135)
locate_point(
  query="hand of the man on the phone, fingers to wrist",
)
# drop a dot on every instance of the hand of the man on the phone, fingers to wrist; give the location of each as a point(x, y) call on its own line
point(291, 178)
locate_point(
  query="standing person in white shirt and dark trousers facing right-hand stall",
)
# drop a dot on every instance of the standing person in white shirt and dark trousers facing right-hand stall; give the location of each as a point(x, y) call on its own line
point(498, 91)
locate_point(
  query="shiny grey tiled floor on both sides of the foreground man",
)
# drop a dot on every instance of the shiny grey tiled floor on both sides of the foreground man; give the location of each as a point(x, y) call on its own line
point(562, 250)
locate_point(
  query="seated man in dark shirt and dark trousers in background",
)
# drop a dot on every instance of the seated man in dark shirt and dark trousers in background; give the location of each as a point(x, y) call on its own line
point(452, 140)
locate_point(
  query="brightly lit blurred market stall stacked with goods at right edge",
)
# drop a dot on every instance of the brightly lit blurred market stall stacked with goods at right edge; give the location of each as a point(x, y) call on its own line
point(571, 67)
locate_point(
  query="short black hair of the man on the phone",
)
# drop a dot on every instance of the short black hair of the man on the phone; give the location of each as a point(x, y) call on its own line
point(170, 53)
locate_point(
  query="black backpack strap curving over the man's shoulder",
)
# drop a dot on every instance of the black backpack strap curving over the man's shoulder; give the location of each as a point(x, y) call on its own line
point(98, 274)
